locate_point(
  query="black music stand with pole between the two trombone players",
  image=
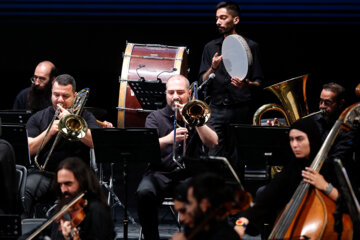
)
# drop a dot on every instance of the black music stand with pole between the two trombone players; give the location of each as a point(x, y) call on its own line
point(123, 145)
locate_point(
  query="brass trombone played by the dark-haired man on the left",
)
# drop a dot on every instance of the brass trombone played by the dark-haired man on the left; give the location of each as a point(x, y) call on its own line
point(72, 126)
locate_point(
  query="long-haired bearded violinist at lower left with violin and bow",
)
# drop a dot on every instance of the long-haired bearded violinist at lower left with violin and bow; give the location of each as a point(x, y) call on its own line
point(87, 218)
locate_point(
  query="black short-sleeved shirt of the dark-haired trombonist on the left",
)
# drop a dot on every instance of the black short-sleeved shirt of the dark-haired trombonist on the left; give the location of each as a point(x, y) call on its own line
point(40, 121)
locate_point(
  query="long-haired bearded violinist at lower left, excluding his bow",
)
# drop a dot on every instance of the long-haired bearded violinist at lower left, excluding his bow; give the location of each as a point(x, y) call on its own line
point(94, 222)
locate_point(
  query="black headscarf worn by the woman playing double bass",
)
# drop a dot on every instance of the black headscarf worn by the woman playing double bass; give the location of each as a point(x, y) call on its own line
point(308, 126)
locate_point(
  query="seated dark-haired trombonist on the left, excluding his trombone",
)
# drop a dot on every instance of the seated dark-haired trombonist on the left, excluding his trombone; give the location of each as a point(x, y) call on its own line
point(38, 182)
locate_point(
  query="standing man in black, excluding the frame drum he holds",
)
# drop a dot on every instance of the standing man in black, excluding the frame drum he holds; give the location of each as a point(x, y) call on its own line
point(230, 97)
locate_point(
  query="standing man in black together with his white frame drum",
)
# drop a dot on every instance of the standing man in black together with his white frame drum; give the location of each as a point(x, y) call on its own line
point(238, 73)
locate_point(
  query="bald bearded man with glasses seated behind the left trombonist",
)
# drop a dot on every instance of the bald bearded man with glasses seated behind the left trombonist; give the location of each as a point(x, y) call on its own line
point(37, 96)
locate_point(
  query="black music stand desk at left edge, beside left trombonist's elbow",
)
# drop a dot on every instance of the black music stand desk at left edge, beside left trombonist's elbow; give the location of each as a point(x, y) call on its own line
point(16, 135)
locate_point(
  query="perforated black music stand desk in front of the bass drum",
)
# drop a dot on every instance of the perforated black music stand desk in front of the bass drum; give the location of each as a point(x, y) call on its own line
point(150, 94)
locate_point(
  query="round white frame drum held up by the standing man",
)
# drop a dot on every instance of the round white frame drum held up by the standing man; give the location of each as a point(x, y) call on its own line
point(236, 56)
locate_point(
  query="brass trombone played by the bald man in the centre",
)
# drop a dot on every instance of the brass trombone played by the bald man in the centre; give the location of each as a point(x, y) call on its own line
point(195, 113)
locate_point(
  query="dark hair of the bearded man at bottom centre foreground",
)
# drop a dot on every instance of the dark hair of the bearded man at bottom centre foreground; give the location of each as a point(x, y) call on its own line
point(212, 187)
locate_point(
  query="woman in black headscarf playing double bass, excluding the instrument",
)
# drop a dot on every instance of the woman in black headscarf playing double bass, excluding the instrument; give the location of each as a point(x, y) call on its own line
point(305, 142)
